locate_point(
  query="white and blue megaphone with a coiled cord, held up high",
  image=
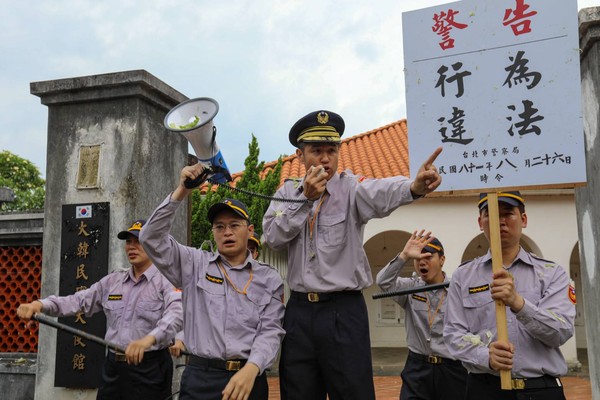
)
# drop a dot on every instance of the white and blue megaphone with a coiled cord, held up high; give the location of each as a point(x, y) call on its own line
point(193, 119)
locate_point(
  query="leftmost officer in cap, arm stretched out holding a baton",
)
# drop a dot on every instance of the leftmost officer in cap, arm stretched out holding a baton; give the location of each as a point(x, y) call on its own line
point(143, 312)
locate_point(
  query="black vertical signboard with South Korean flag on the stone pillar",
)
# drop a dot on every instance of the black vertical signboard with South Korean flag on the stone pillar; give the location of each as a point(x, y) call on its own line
point(84, 261)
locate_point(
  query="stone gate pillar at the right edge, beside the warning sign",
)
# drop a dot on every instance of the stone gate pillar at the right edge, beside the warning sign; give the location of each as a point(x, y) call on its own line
point(588, 198)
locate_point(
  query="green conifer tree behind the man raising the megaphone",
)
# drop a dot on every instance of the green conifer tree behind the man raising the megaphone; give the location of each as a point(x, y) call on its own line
point(250, 182)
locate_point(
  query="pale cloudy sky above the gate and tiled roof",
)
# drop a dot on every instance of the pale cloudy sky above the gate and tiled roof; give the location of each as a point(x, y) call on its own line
point(266, 62)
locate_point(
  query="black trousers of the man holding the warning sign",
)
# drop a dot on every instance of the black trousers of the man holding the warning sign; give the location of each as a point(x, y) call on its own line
point(485, 386)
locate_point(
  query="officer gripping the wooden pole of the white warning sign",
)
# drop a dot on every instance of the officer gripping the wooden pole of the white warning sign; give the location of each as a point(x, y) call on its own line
point(540, 317)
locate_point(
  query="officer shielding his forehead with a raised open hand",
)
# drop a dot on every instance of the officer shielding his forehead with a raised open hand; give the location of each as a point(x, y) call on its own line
point(430, 371)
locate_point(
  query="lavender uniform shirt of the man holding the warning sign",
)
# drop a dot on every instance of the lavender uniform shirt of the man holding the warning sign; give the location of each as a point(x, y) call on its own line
point(543, 324)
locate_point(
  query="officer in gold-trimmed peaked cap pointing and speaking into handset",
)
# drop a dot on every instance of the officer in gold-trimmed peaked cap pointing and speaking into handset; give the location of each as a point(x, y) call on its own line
point(327, 266)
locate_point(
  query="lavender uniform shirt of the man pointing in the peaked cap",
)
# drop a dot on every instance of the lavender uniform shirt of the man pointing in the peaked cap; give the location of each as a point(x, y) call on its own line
point(332, 258)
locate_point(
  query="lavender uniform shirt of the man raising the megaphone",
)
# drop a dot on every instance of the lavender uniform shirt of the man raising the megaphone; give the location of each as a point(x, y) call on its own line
point(219, 322)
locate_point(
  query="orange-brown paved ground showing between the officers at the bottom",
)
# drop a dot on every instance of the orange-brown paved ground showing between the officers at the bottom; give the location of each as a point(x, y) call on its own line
point(387, 364)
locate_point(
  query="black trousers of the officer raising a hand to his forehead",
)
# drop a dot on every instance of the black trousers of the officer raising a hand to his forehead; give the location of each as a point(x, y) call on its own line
point(422, 380)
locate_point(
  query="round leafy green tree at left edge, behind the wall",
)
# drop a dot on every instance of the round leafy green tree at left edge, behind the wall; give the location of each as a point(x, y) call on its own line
point(24, 178)
